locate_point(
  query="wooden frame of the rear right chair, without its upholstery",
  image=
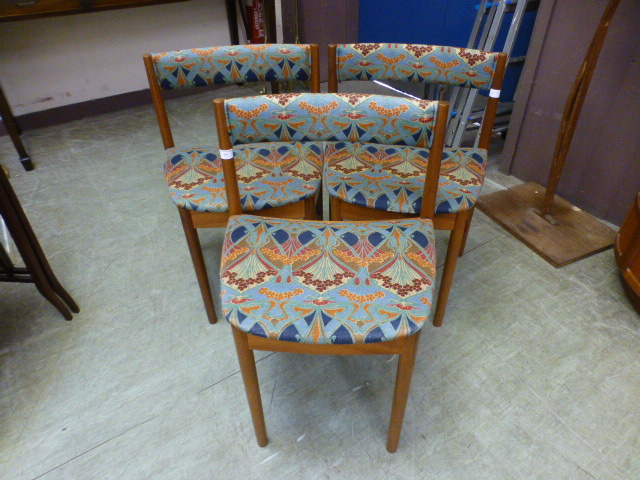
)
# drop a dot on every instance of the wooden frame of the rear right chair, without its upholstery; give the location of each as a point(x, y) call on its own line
point(457, 223)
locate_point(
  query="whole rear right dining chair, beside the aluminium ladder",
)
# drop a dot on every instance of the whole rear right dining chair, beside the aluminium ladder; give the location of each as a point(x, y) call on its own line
point(369, 183)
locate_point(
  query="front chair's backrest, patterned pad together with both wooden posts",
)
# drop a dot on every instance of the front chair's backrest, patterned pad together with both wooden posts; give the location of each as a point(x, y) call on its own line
point(332, 117)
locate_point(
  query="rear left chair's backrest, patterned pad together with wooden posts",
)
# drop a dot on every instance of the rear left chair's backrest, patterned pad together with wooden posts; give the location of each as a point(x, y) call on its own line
point(226, 65)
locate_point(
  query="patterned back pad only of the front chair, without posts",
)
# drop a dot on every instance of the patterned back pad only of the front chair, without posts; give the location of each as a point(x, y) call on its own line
point(331, 117)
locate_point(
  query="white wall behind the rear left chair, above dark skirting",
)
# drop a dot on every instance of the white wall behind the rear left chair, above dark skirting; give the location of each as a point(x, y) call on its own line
point(51, 62)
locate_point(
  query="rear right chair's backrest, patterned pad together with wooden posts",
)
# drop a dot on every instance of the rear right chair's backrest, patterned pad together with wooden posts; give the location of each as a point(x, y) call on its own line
point(454, 66)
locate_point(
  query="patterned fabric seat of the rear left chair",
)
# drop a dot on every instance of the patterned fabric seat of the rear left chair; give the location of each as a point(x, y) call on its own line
point(269, 175)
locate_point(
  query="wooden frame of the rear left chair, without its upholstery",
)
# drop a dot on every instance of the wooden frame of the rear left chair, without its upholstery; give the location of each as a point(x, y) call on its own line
point(192, 220)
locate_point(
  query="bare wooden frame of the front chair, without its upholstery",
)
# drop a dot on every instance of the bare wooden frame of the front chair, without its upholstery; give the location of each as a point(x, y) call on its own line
point(406, 347)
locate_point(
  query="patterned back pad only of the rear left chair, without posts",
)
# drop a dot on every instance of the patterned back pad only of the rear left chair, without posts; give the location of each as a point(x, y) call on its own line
point(198, 67)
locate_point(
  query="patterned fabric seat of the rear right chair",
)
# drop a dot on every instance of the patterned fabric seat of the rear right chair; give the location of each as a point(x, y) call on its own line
point(391, 177)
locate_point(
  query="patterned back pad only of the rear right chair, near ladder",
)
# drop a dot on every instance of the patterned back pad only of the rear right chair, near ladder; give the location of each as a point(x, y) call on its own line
point(416, 63)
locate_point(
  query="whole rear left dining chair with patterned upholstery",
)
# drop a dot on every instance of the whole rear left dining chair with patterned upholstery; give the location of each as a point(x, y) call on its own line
point(194, 172)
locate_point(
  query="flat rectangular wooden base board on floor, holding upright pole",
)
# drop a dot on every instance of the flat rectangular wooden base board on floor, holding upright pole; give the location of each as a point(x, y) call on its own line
point(565, 236)
